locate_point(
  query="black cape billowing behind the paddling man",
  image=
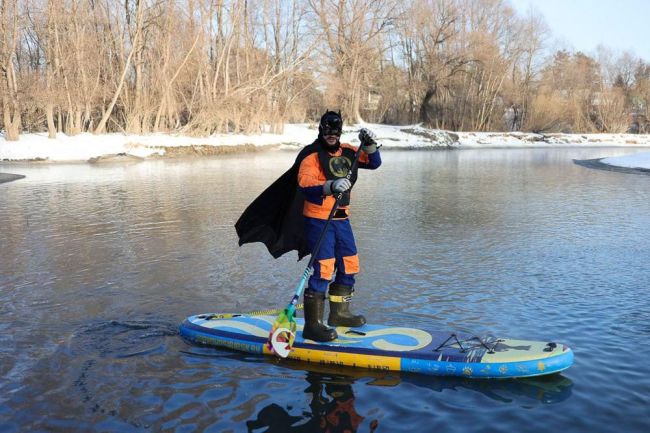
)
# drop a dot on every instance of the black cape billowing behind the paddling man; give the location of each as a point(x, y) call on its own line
point(275, 217)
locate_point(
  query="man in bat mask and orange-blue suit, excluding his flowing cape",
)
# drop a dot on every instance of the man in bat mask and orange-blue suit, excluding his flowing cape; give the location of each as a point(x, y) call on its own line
point(322, 175)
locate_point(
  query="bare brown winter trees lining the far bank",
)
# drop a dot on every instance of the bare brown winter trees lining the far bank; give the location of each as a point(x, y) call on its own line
point(205, 66)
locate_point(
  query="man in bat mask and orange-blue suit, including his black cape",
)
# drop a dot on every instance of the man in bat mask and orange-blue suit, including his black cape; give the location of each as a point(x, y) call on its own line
point(292, 213)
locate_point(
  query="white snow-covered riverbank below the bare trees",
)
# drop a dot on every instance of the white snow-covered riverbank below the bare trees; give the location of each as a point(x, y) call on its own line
point(93, 148)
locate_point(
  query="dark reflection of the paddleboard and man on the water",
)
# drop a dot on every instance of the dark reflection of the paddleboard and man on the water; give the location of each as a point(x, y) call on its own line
point(330, 394)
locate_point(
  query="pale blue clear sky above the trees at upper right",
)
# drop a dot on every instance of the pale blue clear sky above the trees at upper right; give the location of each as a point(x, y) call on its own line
point(621, 25)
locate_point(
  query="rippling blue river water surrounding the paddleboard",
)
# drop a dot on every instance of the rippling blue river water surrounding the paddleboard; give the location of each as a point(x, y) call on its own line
point(100, 263)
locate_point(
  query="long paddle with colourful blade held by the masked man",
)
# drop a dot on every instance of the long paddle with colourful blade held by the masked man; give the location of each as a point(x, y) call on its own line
point(283, 331)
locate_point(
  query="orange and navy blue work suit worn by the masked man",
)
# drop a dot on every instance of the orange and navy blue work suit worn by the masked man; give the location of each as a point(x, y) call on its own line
point(338, 251)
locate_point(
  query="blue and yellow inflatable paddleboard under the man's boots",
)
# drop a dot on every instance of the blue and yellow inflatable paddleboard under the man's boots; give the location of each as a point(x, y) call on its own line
point(389, 348)
